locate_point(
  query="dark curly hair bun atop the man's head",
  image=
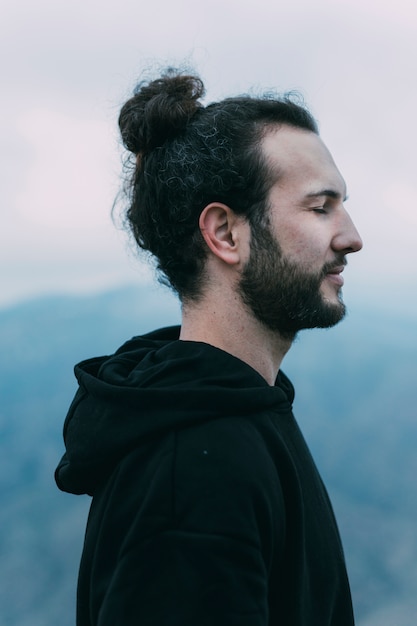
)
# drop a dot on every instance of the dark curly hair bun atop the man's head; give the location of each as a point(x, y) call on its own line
point(159, 110)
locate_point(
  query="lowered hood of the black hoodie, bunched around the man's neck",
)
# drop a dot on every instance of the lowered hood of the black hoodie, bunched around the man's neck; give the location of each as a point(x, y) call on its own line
point(153, 384)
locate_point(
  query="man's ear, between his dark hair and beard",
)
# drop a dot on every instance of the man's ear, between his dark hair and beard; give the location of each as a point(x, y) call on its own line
point(221, 230)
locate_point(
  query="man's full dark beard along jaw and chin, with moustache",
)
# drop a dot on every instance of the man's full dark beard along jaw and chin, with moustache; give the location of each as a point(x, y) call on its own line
point(284, 296)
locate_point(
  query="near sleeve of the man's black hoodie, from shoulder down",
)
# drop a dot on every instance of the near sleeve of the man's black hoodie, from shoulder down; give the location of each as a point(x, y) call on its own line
point(207, 562)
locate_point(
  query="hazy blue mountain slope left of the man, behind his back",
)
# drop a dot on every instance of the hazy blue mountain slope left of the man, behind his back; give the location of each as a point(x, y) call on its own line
point(42, 529)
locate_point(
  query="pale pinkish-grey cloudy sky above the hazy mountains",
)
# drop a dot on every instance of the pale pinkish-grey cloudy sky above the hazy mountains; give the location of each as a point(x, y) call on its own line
point(68, 66)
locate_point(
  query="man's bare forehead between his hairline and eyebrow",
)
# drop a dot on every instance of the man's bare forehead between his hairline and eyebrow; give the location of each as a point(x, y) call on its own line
point(300, 160)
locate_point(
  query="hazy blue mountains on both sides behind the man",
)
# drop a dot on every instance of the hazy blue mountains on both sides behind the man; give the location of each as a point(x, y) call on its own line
point(356, 398)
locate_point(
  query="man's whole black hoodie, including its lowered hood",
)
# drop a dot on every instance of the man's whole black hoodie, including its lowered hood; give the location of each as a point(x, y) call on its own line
point(207, 507)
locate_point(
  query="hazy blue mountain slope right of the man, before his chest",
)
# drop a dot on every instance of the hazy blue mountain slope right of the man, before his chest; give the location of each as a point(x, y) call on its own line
point(358, 384)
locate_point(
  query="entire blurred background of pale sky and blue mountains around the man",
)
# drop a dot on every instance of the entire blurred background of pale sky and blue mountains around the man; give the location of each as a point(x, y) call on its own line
point(71, 287)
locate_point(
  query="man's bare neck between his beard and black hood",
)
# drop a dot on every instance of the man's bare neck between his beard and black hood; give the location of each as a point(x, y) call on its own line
point(234, 330)
